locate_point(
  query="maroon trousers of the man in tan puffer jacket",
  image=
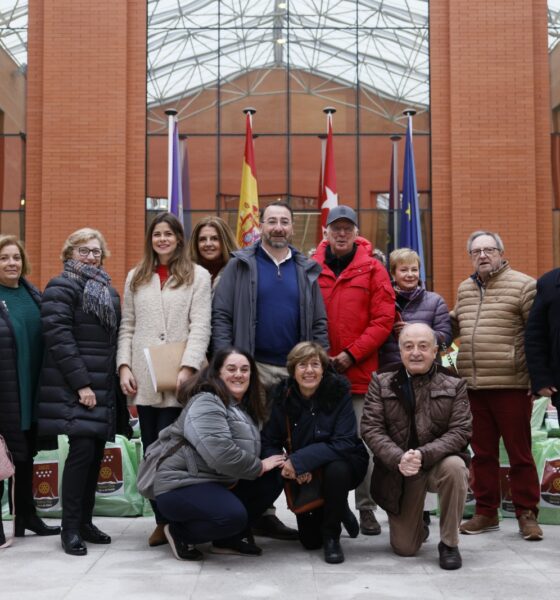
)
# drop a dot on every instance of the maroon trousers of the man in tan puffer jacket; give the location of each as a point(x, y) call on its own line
point(505, 413)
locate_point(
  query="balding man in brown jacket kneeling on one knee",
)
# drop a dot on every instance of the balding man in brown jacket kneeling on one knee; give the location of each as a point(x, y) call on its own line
point(417, 422)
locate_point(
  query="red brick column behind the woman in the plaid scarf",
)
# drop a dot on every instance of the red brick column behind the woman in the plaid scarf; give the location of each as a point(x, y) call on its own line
point(86, 129)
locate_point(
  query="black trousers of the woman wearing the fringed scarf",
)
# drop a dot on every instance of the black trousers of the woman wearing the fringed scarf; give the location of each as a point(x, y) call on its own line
point(79, 480)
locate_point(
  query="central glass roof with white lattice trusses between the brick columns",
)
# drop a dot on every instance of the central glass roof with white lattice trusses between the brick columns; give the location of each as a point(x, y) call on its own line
point(382, 45)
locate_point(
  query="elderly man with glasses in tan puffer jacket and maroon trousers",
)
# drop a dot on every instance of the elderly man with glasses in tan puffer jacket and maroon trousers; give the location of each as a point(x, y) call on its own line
point(490, 316)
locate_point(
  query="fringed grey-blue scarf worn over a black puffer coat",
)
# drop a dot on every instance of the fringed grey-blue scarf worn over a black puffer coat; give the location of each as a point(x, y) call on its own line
point(97, 298)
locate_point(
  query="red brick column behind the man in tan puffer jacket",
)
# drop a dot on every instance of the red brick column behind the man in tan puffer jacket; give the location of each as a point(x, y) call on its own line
point(490, 109)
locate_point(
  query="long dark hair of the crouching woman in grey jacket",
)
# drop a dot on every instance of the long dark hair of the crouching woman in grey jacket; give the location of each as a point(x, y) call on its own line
point(209, 380)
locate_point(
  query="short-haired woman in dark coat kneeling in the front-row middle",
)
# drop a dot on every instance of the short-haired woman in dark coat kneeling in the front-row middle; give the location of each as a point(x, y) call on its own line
point(317, 403)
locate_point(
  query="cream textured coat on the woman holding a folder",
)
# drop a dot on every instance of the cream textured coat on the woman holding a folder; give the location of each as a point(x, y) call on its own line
point(153, 316)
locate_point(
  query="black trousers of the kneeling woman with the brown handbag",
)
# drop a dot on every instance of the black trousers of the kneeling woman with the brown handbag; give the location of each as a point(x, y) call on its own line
point(338, 479)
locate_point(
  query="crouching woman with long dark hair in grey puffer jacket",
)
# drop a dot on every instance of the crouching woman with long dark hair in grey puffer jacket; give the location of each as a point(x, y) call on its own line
point(215, 485)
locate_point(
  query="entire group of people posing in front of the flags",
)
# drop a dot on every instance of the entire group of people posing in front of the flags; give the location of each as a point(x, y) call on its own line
point(293, 368)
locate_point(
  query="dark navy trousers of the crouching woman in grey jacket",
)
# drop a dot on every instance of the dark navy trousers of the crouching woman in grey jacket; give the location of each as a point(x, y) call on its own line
point(205, 512)
